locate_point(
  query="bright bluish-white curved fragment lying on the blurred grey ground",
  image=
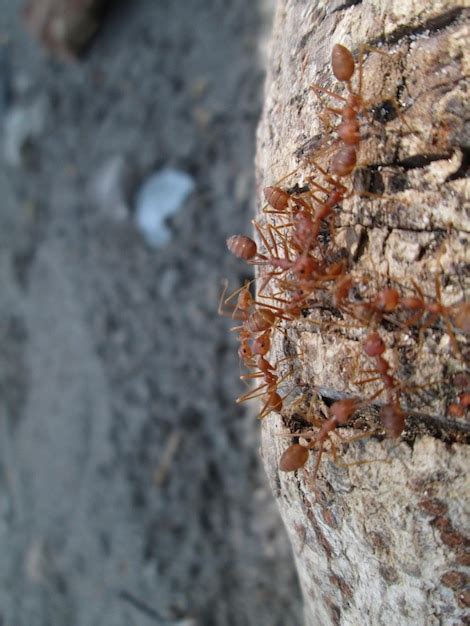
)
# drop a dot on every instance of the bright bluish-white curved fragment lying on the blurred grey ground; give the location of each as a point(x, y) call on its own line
point(161, 196)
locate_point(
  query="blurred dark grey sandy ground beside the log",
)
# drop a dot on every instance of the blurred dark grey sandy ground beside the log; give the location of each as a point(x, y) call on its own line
point(111, 352)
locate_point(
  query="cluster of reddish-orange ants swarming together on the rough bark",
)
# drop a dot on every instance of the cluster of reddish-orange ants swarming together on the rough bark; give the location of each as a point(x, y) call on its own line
point(305, 278)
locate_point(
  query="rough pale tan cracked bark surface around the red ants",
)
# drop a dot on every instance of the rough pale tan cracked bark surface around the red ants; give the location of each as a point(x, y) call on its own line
point(383, 542)
